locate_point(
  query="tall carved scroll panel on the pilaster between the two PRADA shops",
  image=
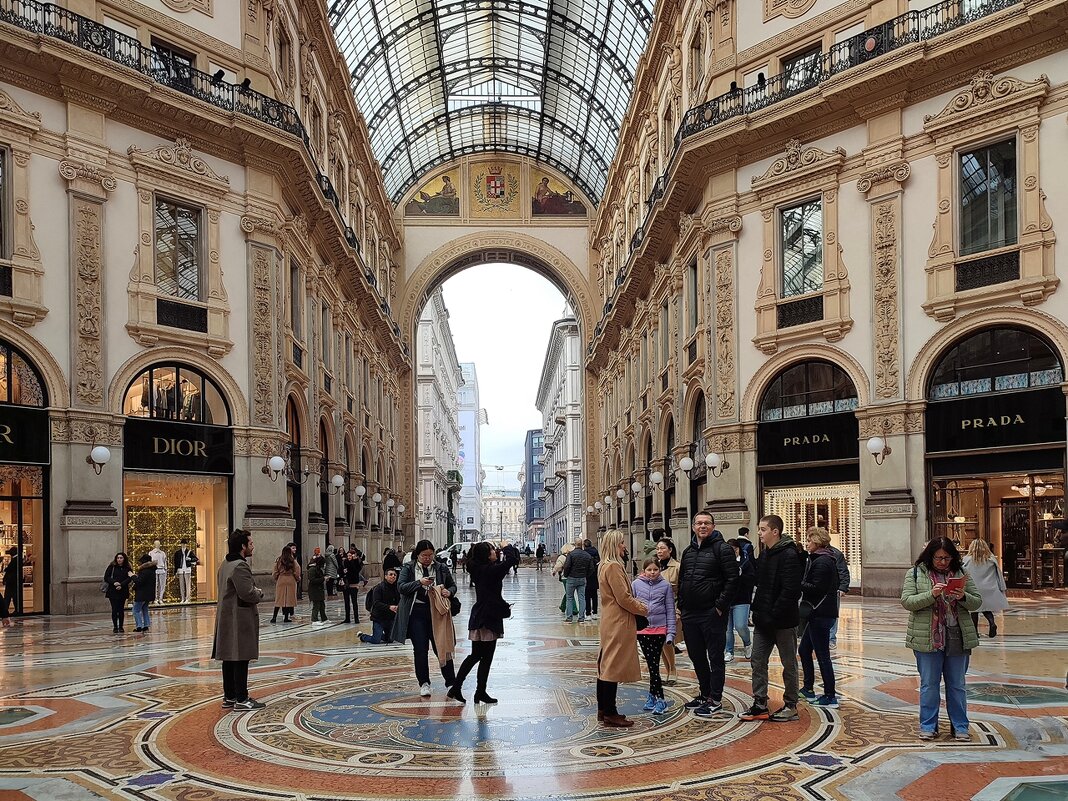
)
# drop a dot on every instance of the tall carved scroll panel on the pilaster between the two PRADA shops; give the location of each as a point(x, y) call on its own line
point(888, 367)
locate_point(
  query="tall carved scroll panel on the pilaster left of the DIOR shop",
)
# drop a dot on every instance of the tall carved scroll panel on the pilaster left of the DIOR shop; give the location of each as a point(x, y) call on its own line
point(88, 265)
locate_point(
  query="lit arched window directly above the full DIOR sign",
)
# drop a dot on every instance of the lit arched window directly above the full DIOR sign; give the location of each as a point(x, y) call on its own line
point(177, 392)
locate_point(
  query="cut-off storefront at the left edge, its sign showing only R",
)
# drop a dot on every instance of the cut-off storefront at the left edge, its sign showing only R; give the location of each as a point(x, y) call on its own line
point(25, 457)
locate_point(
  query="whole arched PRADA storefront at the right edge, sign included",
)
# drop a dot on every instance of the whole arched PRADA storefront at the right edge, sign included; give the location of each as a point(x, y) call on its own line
point(996, 451)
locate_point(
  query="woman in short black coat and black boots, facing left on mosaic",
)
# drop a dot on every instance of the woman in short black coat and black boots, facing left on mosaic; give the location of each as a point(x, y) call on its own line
point(486, 625)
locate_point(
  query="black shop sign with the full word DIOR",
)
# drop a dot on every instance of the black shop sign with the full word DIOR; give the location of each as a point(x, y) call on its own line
point(178, 448)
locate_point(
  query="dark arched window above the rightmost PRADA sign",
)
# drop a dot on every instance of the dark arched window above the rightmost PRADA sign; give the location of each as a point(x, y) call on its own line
point(996, 360)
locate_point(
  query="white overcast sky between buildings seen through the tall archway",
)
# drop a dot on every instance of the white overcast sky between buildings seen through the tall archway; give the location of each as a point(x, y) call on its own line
point(501, 317)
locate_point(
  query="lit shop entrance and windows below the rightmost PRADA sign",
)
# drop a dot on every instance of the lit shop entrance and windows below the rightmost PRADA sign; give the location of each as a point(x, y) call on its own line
point(1015, 514)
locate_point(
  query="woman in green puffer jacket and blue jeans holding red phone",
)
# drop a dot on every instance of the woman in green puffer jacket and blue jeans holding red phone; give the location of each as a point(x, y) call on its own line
point(941, 634)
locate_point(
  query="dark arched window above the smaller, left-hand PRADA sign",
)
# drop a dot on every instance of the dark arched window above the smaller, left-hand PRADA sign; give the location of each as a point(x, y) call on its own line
point(807, 390)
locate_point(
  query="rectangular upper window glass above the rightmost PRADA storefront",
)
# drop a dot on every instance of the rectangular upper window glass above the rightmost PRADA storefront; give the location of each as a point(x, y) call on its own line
point(988, 202)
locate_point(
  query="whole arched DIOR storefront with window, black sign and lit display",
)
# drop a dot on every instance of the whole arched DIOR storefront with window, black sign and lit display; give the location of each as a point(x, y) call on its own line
point(178, 468)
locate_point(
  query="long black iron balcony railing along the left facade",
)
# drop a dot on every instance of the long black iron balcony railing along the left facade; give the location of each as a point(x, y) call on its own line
point(52, 21)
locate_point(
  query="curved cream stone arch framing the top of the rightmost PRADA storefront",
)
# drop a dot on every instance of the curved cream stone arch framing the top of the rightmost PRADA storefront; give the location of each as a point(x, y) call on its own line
point(1041, 323)
